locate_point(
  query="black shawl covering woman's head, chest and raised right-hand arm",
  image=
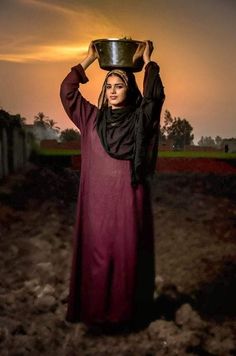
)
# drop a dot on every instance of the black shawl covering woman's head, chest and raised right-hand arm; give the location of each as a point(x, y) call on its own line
point(131, 133)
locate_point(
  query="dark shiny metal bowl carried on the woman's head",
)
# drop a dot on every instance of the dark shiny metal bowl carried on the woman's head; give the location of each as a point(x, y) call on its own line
point(124, 54)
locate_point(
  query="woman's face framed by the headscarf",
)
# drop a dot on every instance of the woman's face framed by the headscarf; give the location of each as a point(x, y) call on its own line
point(116, 92)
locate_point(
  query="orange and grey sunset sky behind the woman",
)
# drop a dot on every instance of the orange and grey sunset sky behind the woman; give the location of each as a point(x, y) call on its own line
point(40, 40)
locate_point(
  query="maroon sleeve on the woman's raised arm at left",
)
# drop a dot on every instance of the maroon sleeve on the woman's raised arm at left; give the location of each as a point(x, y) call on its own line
point(76, 106)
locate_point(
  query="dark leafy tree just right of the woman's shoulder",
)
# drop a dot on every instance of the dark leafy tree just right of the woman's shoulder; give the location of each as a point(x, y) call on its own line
point(177, 129)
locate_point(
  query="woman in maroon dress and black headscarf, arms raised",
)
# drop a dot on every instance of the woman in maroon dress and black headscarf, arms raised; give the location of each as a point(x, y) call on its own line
point(112, 278)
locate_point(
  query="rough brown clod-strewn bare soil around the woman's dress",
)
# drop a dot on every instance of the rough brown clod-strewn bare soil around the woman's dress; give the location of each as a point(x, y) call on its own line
point(195, 309)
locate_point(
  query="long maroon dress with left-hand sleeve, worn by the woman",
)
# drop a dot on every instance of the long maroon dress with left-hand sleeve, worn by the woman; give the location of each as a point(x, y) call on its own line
point(112, 276)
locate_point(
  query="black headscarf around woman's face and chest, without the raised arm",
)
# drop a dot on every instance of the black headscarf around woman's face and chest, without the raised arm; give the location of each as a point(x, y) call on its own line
point(124, 132)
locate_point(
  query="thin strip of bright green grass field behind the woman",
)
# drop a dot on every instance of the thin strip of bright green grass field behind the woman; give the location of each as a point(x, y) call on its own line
point(167, 154)
